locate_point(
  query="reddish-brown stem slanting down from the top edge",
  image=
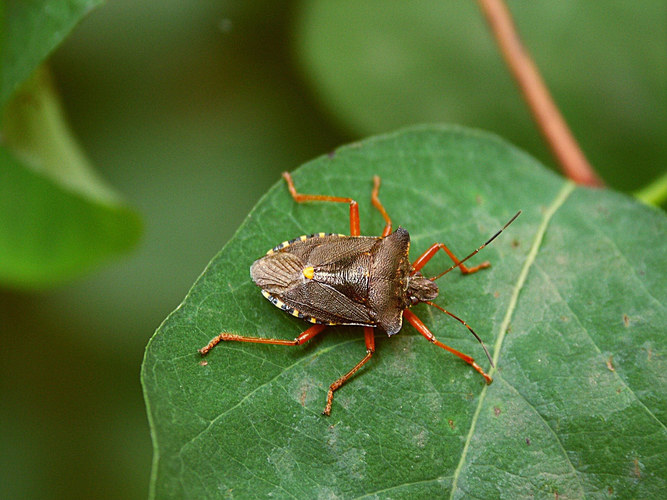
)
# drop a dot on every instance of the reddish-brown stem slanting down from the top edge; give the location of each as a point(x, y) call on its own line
point(572, 160)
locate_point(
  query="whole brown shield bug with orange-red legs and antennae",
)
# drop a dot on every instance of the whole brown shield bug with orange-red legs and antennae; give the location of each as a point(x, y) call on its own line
point(334, 279)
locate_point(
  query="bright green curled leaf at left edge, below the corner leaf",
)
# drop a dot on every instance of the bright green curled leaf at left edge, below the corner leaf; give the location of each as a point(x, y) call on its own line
point(57, 218)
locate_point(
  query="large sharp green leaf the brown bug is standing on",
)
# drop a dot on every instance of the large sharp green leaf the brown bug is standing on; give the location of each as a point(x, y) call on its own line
point(573, 311)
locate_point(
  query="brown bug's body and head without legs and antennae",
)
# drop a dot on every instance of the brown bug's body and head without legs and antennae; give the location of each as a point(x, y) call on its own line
point(335, 279)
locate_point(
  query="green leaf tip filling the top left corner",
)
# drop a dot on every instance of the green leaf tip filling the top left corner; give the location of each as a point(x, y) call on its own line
point(31, 30)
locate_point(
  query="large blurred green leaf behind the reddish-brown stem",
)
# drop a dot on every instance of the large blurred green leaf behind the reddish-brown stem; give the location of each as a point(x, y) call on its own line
point(377, 68)
